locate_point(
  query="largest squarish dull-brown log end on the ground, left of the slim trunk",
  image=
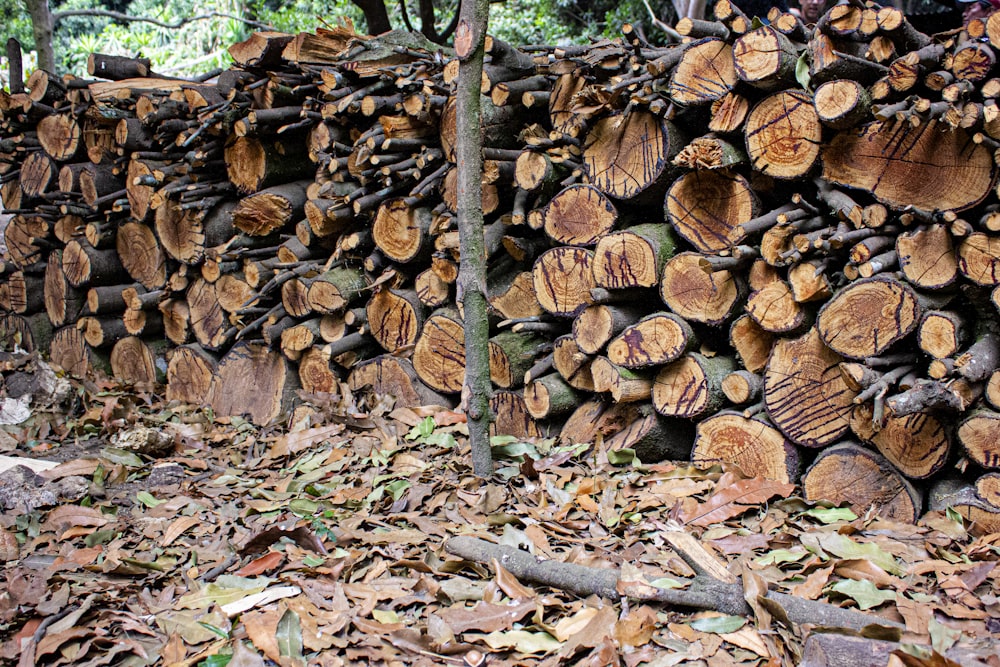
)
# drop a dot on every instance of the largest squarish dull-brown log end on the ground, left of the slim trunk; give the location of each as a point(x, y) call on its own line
point(254, 381)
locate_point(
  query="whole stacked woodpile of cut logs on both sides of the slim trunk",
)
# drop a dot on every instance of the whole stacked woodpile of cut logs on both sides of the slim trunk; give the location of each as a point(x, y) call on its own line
point(781, 243)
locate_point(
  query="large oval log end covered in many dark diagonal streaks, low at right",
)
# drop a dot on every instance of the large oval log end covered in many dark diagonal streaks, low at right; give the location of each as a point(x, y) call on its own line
point(804, 392)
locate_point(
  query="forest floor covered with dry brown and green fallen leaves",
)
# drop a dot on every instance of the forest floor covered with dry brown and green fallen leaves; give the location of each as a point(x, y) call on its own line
point(152, 533)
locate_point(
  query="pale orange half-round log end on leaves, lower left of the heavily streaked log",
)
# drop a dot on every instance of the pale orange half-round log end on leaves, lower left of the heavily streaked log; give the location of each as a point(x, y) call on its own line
point(752, 444)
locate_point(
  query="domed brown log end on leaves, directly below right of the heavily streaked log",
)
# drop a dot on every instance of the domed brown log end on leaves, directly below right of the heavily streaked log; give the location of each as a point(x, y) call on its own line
point(849, 473)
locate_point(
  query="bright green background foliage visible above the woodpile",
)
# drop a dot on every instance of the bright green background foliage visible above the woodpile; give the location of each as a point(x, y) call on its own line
point(200, 46)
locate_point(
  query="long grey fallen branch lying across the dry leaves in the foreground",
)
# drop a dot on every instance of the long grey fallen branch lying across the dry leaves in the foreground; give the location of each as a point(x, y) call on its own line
point(704, 591)
